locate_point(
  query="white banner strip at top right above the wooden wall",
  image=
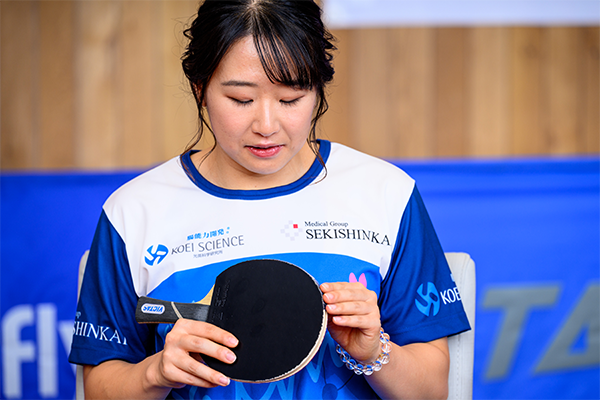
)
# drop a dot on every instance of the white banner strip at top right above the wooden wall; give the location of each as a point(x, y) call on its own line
point(343, 14)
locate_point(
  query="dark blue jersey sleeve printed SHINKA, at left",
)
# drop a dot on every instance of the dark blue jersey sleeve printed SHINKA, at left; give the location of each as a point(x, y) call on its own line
point(105, 326)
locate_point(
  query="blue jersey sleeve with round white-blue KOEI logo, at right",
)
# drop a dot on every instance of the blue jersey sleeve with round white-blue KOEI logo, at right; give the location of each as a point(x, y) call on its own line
point(419, 301)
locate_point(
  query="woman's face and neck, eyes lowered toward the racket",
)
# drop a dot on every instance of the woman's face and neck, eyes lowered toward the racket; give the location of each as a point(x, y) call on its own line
point(260, 127)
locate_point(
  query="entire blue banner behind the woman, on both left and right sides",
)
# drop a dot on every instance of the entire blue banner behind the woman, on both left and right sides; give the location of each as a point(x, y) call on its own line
point(532, 227)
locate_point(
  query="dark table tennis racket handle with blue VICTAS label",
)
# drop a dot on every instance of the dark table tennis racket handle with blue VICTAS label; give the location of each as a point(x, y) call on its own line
point(154, 311)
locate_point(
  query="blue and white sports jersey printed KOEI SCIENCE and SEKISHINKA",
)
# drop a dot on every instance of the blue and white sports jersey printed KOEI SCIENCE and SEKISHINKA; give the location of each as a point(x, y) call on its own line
point(169, 232)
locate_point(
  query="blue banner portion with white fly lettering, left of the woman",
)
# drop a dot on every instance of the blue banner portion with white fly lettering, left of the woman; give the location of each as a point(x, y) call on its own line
point(47, 222)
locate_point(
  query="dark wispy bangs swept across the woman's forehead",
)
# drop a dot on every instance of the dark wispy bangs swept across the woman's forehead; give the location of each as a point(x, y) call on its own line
point(286, 60)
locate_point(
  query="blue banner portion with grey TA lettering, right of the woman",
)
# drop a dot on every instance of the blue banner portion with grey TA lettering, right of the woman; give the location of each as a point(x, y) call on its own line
point(533, 229)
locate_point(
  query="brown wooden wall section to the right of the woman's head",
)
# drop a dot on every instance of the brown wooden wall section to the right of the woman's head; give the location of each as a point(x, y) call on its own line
point(494, 91)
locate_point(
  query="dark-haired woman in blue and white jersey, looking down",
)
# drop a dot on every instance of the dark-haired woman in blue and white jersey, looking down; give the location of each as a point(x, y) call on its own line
point(267, 189)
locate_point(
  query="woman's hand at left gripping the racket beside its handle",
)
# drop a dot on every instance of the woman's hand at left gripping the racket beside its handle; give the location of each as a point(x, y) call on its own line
point(180, 362)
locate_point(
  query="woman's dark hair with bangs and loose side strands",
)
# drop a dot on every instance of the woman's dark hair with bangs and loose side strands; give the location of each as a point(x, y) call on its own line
point(293, 45)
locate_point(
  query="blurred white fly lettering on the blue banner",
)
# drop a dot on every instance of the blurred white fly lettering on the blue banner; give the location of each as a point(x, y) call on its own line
point(42, 351)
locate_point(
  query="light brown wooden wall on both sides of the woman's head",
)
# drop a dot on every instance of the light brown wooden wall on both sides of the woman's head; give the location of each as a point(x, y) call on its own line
point(98, 84)
